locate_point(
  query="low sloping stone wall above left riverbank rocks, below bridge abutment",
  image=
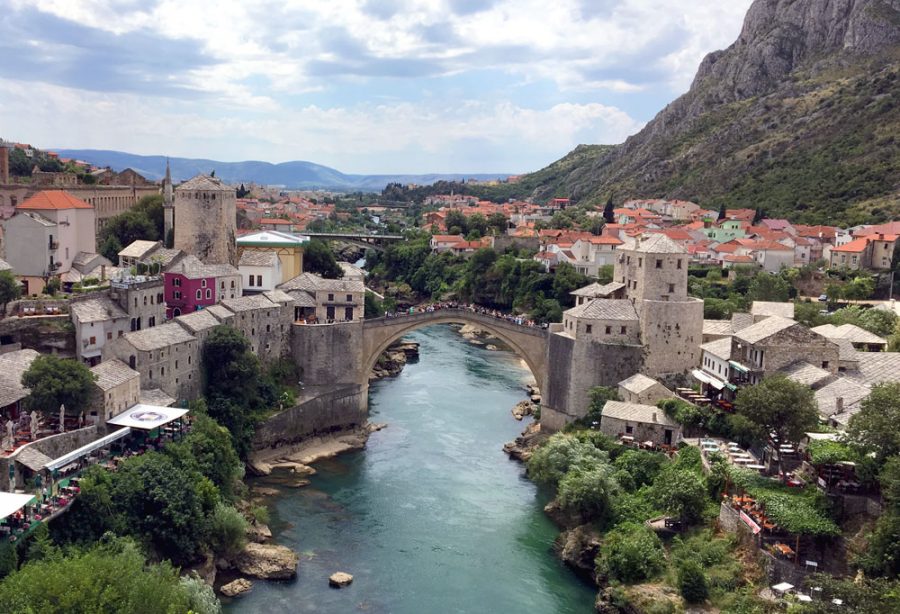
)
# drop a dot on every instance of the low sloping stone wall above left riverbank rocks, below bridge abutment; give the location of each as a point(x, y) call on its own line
point(341, 408)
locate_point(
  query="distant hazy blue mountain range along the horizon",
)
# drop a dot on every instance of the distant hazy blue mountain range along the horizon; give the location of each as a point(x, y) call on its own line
point(292, 175)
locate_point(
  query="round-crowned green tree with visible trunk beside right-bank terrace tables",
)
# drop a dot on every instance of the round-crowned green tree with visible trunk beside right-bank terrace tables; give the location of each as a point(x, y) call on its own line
point(780, 406)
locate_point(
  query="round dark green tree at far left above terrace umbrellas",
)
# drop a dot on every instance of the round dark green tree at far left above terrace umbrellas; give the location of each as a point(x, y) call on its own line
point(56, 381)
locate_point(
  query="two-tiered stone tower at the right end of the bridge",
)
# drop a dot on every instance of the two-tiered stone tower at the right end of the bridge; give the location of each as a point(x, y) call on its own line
point(654, 271)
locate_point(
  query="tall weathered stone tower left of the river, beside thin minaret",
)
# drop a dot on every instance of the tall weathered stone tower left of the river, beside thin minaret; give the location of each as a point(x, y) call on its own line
point(206, 225)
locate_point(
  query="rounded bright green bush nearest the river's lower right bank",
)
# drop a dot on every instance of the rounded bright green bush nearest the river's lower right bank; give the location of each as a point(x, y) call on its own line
point(631, 553)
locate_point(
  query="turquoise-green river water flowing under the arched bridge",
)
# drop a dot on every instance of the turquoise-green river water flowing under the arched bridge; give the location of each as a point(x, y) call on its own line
point(432, 516)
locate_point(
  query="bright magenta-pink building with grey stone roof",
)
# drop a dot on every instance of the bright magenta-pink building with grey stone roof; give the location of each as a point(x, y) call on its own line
point(191, 285)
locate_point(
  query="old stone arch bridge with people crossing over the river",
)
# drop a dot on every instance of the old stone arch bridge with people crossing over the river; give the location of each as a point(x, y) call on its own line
point(529, 343)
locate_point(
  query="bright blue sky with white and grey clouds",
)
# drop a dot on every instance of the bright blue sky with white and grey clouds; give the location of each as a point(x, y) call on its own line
point(364, 86)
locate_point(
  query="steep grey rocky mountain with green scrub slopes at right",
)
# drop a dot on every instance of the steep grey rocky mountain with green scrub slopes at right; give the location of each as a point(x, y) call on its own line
point(799, 116)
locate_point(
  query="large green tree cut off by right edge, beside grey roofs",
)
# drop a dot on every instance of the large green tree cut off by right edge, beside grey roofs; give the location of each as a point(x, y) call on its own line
point(874, 427)
